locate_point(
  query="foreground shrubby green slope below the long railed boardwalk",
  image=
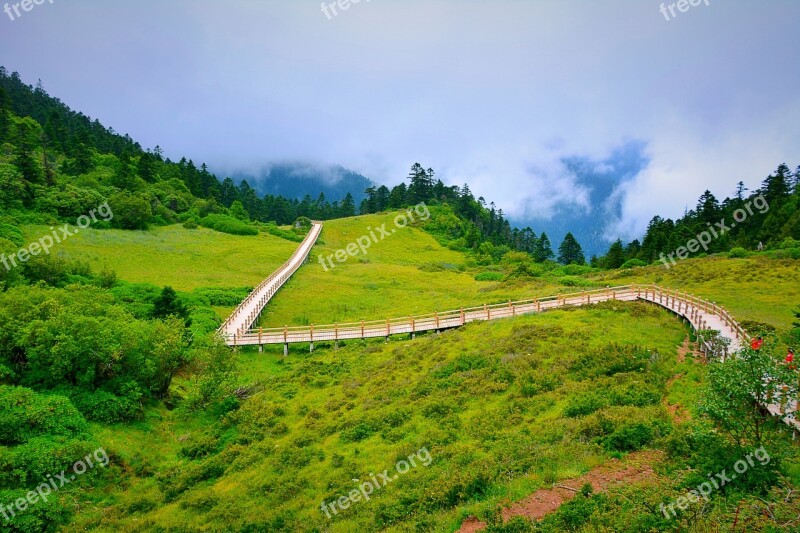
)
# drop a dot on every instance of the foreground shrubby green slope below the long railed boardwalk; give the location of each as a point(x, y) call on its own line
point(496, 426)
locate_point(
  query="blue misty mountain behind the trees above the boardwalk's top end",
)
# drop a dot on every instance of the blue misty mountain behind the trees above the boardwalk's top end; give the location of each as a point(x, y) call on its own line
point(295, 180)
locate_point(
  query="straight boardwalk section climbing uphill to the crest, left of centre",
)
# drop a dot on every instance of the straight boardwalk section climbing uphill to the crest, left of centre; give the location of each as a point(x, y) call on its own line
point(249, 311)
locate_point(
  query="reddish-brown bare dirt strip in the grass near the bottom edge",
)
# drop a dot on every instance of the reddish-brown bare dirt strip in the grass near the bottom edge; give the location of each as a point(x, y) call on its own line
point(636, 467)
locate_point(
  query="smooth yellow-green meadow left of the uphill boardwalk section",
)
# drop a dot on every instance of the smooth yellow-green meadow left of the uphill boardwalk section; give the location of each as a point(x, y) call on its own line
point(184, 259)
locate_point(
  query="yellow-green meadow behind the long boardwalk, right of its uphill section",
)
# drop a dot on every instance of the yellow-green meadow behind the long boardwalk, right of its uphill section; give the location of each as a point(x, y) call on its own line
point(410, 273)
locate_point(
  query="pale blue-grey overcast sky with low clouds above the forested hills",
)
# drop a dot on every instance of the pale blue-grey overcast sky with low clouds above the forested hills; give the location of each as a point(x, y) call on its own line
point(501, 94)
